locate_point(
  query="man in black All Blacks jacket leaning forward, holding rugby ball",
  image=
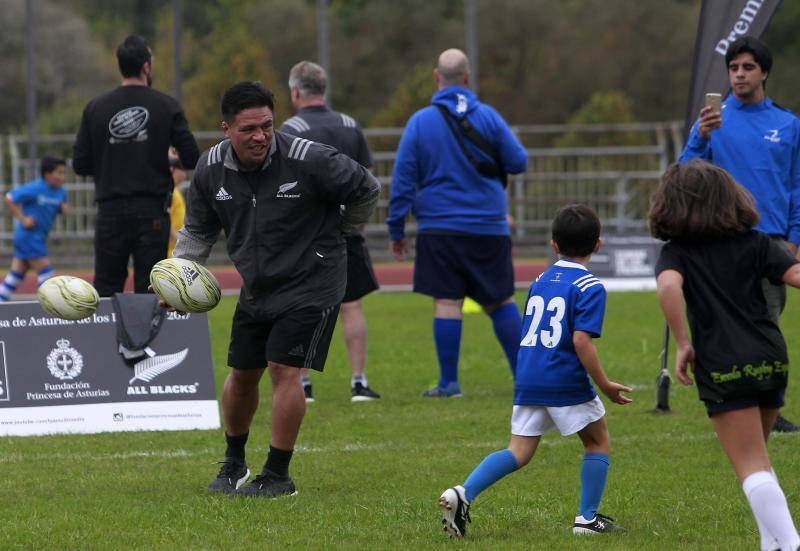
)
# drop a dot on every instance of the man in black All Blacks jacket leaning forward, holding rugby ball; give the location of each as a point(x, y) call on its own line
point(277, 197)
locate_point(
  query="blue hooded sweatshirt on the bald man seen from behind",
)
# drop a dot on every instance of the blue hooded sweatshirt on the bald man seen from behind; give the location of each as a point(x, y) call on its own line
point(434, 178)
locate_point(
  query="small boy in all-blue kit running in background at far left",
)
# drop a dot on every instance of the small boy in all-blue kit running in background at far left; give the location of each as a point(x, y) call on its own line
point(35, 205)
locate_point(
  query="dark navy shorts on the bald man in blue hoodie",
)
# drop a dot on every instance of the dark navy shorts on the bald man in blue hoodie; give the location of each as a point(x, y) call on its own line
point(455, 266)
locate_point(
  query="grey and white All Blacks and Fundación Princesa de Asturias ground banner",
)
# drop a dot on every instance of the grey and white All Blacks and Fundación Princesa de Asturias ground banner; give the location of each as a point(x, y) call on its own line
point(59, 376)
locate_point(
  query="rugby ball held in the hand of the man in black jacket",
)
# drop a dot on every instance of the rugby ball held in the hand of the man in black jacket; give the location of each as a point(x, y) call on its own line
point(185, 285)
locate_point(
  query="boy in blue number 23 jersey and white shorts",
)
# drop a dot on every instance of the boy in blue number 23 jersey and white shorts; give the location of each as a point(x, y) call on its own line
point(564, 311)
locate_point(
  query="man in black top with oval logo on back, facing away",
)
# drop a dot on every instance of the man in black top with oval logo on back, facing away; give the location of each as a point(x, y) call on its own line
point(123, 142)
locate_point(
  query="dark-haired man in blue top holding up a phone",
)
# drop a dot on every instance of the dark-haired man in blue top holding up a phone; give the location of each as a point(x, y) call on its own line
point(758, 142)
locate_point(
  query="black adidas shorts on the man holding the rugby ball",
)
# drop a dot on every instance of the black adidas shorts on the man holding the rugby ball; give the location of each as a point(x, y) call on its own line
point(299, 338)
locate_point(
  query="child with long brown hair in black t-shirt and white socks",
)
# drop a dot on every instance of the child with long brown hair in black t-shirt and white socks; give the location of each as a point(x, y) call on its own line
point(711, 268)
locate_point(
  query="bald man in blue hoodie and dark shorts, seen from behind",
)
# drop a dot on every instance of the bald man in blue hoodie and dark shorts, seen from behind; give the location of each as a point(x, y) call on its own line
point(463, 244)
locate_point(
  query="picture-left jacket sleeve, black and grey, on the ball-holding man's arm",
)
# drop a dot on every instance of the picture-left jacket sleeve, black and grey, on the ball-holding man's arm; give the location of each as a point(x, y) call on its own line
point(202, 225)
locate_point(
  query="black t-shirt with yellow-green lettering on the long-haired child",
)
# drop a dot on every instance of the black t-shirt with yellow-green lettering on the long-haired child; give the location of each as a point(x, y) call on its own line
point(739, 351)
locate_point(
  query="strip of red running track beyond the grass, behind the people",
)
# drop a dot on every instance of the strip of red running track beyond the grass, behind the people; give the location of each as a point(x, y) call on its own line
point(391, 276)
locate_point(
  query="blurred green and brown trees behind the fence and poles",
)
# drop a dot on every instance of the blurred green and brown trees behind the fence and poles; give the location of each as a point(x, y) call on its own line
point(540, 61)
